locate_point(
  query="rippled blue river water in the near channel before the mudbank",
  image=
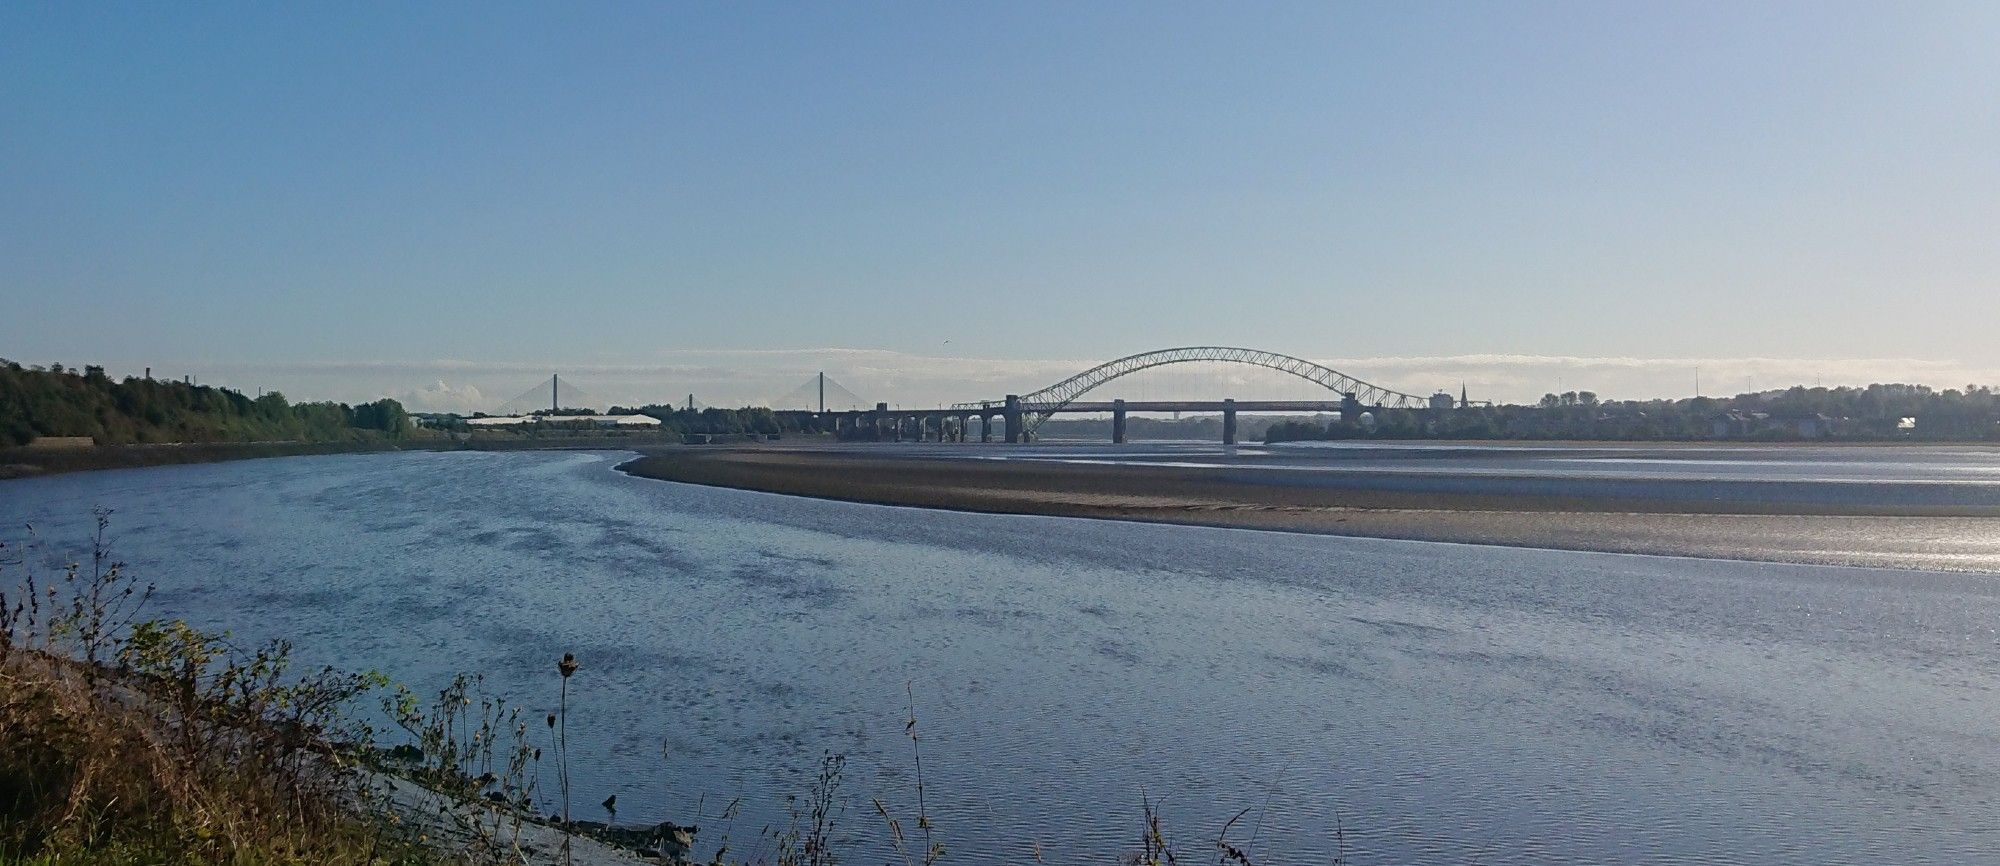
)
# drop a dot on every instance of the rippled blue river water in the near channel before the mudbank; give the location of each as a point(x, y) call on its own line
point(1391, 703)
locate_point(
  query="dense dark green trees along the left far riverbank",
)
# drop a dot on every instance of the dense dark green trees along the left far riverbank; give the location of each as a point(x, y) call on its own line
point(87, 403)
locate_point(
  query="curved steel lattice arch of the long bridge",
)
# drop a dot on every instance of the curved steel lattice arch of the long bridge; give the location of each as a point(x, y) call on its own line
point(1045, 403)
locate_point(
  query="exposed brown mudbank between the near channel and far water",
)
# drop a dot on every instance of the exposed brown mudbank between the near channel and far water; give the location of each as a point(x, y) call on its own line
point(1743, 531)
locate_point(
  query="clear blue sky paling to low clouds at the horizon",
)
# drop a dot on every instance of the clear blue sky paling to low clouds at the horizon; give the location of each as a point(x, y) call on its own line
point(937, 203)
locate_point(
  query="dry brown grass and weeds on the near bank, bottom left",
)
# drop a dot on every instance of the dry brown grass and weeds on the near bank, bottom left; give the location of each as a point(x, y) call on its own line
point(129, 741)
